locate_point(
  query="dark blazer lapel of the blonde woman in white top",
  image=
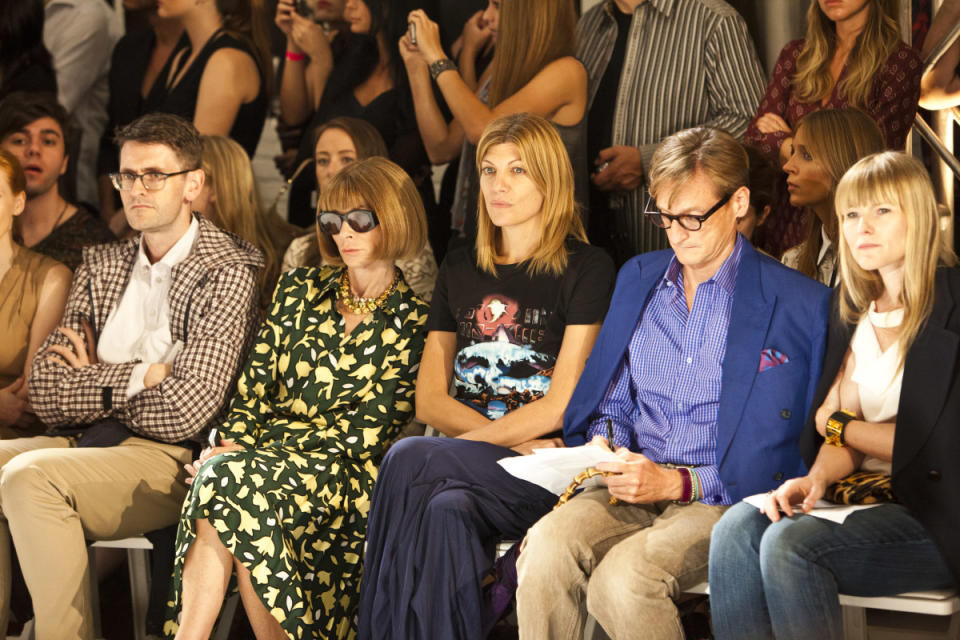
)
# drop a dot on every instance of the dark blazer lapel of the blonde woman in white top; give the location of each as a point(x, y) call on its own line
point(927, 378)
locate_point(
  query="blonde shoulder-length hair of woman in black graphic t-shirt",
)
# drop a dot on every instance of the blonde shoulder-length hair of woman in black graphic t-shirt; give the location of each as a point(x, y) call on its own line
point(547, 164)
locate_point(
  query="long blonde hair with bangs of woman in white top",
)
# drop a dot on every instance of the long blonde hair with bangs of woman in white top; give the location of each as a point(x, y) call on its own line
point(894, 178)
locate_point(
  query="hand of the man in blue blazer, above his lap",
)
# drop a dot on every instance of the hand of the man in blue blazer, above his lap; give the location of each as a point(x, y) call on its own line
point(639, 480)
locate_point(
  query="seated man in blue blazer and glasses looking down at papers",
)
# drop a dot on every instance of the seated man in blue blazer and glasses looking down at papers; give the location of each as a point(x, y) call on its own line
point(702, 376)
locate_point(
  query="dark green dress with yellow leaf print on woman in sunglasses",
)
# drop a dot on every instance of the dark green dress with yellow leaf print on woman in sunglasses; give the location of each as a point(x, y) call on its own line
point(315, 410)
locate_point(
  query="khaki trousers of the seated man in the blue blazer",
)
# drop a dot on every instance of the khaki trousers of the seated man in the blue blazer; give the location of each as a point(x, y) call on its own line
point(625, 564)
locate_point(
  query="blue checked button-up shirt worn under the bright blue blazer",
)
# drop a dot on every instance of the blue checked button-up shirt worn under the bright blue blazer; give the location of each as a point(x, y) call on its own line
point(664, 398)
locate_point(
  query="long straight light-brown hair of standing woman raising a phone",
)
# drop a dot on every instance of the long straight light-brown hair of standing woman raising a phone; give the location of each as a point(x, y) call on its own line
point(532, 34)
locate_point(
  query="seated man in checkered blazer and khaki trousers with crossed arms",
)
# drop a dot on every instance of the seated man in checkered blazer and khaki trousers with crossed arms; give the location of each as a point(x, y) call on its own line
point(146, 357)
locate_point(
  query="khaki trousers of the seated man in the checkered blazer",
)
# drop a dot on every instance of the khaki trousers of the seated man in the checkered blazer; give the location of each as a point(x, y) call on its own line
point(54, 497)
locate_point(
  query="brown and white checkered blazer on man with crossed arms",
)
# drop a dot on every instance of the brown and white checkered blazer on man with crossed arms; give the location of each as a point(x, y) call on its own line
point(213, 311)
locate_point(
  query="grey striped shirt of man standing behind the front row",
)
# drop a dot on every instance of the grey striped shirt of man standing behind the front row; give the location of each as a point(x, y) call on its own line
point(687, 63)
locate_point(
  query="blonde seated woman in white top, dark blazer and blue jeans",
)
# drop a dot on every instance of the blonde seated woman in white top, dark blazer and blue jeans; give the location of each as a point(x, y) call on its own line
point(889, 403)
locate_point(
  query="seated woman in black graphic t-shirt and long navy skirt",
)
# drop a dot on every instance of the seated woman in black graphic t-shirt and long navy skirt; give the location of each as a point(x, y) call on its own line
point(511, 324)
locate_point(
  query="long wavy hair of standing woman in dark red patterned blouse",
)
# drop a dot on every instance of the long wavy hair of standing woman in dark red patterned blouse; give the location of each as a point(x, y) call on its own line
point(880, 36)
